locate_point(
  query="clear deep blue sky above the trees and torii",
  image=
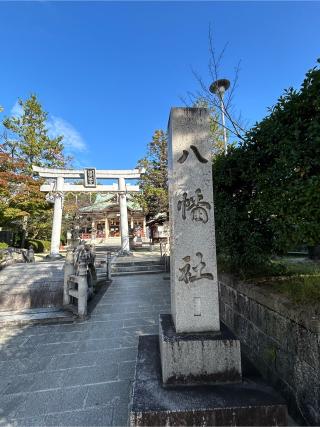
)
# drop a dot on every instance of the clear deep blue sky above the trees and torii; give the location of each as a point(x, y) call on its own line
point(109, 72)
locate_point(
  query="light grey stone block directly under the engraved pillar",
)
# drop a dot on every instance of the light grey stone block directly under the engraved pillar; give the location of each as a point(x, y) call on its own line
point(198, 358)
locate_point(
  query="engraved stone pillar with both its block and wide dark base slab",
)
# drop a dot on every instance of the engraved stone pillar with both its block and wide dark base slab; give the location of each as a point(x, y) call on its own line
point(191, 374)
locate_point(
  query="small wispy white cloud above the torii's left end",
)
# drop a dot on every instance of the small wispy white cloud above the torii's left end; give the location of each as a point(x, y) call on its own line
point(72, 140)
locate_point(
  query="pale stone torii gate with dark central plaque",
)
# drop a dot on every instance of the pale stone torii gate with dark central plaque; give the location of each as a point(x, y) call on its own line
point(89, 176)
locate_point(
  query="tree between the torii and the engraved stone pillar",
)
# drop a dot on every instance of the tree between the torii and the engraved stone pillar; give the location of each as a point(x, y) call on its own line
point(154, 182)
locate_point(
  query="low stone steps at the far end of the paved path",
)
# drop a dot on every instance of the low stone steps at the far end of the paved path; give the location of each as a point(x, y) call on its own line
point(129, 268)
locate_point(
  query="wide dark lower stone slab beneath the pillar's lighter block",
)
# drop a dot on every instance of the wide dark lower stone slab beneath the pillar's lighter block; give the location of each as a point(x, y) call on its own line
point(251, 403)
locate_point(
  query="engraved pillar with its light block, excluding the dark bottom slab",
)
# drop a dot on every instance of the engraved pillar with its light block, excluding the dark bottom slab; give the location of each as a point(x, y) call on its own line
point(194, 282)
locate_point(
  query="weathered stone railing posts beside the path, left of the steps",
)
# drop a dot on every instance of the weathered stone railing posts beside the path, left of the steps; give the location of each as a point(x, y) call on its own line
point(79, 277)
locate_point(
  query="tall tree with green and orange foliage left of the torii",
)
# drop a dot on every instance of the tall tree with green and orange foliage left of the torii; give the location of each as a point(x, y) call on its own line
point(26, 143)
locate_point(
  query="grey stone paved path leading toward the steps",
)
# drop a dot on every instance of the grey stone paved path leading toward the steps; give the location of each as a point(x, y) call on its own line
point(80, 373)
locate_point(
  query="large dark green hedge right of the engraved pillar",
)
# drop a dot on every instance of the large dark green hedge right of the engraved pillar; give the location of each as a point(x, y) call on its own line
point(267, 189)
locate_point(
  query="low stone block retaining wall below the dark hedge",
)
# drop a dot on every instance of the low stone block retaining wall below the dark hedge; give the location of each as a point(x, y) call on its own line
point(281, 341)
